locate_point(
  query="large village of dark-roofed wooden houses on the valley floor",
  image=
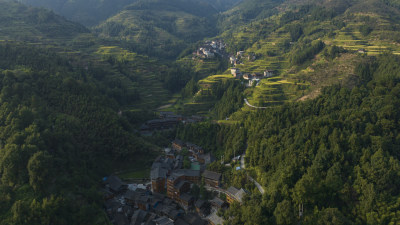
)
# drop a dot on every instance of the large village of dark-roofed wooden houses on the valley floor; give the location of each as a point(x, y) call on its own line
point(172, 195)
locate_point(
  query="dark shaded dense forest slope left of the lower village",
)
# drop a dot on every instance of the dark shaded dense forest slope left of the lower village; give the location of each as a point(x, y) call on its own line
point(59, 136)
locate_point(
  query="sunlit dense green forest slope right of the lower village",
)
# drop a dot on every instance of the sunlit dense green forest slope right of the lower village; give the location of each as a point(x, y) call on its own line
point(336, 155)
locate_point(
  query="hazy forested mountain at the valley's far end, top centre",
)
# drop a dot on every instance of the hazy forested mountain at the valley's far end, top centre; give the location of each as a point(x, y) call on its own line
point(159, 27)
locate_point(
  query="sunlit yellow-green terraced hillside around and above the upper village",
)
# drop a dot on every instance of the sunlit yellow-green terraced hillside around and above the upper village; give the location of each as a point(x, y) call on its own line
point(311, 47)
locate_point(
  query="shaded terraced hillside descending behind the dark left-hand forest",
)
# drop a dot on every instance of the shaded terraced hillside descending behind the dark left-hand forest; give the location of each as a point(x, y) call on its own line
point(135, 80)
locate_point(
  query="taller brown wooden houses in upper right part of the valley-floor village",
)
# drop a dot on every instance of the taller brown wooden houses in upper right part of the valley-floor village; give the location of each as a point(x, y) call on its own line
point(167, 176)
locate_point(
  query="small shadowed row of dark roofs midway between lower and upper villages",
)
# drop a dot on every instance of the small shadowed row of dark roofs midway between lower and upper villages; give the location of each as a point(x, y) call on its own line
point(168, 120)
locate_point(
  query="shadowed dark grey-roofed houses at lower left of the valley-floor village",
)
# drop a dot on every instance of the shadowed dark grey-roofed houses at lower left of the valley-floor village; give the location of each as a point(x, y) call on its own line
point(140, 206)
